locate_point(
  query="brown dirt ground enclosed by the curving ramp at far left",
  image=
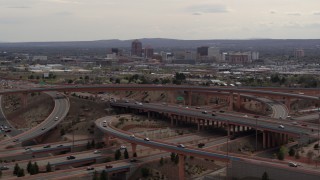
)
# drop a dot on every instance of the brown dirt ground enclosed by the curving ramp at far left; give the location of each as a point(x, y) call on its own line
point(38, 108)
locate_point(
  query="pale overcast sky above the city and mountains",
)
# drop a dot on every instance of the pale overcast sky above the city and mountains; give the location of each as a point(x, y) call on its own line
point(65, 20)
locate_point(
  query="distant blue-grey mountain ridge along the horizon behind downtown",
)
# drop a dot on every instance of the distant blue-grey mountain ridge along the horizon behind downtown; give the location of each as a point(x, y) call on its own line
point(173, 43)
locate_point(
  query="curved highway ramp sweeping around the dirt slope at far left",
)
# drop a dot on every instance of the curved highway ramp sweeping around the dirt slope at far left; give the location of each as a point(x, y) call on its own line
point(60, 110)
